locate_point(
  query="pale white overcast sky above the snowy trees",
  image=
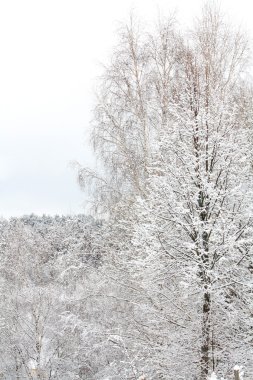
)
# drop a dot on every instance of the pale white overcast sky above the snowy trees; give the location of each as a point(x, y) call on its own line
point(49, 58)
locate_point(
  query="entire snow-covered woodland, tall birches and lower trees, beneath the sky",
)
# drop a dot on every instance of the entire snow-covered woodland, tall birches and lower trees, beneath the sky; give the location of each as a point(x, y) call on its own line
point(157, 285)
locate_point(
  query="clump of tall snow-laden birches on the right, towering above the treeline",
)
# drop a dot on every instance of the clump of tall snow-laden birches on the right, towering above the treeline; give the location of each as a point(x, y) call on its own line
point(172, 128)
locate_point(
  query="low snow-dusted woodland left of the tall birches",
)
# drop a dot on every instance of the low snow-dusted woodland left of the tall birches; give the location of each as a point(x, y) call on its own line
point(49, 325)
